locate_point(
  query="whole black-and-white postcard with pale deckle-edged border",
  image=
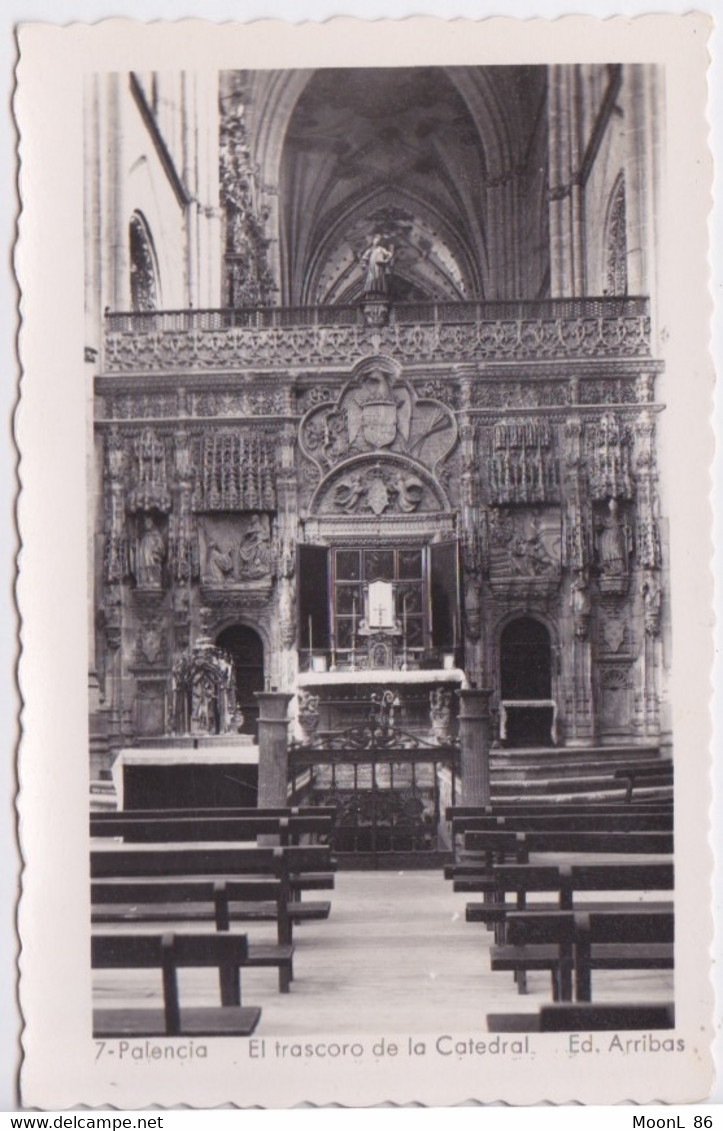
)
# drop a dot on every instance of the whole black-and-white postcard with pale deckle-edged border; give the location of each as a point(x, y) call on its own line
point(377, 450)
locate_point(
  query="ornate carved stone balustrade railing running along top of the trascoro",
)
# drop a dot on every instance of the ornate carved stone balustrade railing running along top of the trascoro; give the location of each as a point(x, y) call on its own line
point(457, 333)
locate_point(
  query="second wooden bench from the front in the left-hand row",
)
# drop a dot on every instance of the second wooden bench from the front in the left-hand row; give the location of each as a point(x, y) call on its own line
point(220, 903)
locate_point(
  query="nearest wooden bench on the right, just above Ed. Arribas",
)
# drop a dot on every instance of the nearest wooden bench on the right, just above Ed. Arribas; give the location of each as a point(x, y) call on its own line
point(587, 1017)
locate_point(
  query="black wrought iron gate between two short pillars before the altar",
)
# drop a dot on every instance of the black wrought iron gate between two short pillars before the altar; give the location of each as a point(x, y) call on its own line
point(390, 789)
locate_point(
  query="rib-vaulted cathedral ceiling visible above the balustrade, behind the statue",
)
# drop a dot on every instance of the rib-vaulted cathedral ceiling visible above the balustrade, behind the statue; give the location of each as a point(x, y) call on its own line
point(417, 154)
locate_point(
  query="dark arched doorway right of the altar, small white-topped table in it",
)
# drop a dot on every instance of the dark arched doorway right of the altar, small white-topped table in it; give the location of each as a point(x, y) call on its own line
point(527, 679)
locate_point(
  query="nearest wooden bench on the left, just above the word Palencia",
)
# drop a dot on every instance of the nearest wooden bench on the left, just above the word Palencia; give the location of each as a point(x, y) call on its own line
point(169, 953)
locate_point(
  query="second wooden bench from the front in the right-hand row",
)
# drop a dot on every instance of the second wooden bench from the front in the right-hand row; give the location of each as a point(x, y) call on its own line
point(581, 942)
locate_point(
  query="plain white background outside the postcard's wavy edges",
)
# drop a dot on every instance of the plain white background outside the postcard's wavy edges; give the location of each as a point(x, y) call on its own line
point(62, 12)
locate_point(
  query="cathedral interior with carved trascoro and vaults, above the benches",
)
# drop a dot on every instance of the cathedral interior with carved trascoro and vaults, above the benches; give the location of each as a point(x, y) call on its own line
point(374, 361)
